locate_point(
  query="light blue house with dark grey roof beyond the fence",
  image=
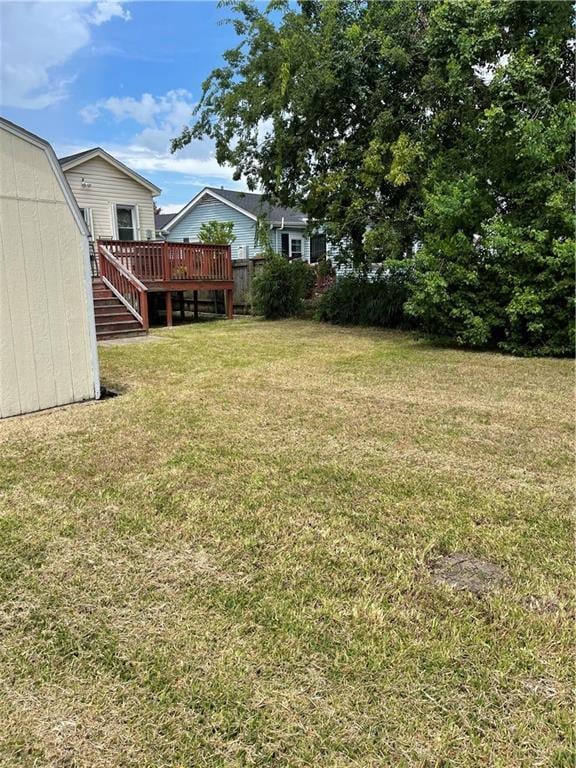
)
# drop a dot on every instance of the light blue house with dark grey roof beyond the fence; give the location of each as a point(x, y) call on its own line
point(287, 225)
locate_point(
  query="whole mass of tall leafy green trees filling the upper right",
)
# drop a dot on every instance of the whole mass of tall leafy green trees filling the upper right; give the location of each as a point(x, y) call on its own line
point(435, 138)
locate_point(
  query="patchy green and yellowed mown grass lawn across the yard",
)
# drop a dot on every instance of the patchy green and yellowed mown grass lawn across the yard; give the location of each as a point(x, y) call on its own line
point(229, 565)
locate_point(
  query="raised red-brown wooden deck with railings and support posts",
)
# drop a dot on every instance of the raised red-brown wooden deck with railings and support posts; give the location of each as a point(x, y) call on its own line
point(133, 268)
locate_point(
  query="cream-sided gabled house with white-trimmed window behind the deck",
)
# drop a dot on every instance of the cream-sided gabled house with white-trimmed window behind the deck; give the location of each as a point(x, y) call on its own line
point(116, 202)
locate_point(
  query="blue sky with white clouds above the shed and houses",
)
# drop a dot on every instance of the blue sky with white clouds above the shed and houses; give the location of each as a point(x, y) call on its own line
point(121, 75)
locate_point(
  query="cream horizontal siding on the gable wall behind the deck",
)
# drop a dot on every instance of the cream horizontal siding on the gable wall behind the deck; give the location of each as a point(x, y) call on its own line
point(110, 187)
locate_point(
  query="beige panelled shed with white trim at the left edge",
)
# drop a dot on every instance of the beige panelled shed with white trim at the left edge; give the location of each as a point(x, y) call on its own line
point(48, 351)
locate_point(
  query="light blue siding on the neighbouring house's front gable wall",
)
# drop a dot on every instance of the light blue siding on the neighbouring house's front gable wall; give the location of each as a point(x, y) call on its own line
point(209, 209)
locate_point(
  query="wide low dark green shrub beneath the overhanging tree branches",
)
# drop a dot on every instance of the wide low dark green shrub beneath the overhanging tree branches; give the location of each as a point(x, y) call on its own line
point(357, 300)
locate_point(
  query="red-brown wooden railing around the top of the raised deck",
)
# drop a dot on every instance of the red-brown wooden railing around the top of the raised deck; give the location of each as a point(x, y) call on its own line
point(153, 262)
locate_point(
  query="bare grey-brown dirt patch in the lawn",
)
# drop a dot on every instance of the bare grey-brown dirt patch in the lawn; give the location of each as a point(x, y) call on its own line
point(463, 571)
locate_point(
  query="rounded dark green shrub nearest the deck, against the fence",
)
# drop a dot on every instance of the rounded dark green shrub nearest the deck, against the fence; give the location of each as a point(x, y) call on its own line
point(279, 288)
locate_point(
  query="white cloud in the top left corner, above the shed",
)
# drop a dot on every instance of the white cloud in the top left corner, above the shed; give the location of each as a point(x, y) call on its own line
point(38, 38)
